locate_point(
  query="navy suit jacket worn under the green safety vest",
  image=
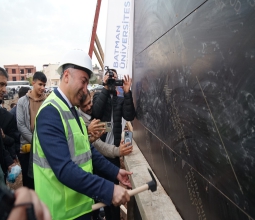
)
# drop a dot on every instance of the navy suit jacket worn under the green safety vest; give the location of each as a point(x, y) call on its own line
point(51, 135)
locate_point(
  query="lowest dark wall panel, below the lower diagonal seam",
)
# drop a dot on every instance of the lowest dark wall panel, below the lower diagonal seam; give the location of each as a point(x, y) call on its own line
point(194, 197)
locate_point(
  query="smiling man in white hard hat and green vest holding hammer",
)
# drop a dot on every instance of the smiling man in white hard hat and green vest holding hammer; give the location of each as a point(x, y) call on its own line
point(63, 159)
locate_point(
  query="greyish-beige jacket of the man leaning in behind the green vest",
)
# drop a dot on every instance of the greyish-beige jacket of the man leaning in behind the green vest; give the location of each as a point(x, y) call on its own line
point(108, 150)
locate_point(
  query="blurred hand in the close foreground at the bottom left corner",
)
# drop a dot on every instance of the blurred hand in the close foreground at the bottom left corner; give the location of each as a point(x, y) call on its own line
point(24, 195)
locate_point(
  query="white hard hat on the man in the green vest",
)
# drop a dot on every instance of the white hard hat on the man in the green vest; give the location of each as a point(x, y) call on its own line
point(79, 59)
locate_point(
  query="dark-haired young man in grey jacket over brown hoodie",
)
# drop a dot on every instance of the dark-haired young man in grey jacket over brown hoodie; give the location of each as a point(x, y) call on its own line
point(27, 108)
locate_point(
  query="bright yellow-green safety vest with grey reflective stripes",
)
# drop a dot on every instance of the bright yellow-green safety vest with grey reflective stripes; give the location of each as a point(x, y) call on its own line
point(63, 202)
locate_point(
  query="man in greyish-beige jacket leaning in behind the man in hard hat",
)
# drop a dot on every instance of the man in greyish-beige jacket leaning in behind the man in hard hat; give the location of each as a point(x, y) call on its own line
point(108, 150)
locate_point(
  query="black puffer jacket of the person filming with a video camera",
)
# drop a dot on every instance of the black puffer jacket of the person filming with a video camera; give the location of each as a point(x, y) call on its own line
point(102, 108)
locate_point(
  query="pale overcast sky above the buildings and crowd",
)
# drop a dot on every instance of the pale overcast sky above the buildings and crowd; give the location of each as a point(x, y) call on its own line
point(39, 32)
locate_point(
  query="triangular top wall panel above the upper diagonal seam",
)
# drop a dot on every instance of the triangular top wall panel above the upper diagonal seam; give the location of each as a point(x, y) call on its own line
point(155, 18)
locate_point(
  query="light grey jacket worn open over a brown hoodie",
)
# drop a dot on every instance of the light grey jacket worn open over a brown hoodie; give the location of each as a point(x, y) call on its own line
point(23, 120)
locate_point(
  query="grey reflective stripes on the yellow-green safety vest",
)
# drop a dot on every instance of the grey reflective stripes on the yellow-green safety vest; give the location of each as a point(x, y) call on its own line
point(80, 159)
